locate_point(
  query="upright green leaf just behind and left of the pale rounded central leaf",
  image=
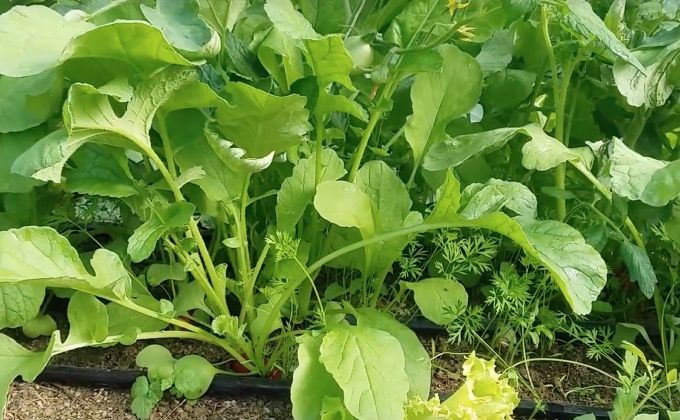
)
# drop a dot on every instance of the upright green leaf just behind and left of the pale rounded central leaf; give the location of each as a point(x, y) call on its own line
point(297, 191)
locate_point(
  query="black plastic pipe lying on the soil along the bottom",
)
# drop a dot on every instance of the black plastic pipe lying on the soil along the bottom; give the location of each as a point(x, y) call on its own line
point(230, 386)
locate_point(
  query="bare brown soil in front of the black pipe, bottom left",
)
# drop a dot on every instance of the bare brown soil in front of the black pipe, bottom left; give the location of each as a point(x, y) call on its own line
point(55, 402)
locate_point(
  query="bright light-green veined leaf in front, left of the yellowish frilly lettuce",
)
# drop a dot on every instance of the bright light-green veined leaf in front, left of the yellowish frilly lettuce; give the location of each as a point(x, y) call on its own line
point(369, 365)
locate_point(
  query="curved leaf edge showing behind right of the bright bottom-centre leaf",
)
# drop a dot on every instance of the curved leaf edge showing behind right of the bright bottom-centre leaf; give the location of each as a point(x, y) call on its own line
point(418, 365)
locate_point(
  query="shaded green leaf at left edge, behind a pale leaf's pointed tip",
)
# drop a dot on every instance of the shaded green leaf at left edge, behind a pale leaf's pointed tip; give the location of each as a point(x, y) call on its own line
point(13, 145)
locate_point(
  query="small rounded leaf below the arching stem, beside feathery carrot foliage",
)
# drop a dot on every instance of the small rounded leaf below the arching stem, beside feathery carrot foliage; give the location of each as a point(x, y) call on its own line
point(439, 299)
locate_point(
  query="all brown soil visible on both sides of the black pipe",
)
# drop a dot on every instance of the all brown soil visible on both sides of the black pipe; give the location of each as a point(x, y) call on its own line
point(552, 382)
